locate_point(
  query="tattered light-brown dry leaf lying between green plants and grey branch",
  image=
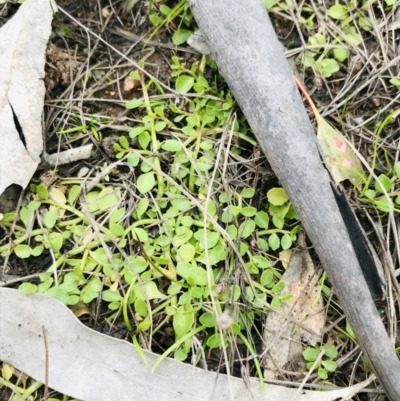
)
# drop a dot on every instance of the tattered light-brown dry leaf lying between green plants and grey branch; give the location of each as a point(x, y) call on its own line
point(284, 339)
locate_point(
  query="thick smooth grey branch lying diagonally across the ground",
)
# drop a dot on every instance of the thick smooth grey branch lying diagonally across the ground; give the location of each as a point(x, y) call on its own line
point(244, 45)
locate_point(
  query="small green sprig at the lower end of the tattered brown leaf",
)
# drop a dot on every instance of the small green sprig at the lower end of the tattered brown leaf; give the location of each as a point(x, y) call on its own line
point(321, 359)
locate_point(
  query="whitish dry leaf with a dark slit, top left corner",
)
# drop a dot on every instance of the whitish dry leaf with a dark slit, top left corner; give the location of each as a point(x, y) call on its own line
point(23, 41)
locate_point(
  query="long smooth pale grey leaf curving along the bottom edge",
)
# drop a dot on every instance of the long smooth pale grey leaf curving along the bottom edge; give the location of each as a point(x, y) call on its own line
point(107, 369)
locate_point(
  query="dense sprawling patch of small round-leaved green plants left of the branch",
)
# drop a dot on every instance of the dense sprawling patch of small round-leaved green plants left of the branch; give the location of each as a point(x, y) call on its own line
point(160, 247)
